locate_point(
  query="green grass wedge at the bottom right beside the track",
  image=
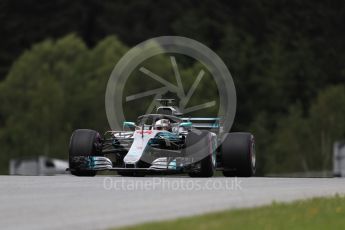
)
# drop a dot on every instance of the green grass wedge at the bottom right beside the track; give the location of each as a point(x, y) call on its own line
point(317, 213)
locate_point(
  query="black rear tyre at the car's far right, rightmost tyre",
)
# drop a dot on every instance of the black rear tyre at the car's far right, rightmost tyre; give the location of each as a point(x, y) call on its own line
point(238, 155)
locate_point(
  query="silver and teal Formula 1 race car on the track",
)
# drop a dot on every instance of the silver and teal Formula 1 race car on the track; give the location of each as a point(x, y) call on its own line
point(164, 142)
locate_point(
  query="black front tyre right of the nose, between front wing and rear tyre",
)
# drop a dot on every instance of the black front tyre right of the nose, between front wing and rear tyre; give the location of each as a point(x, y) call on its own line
point(199, 145)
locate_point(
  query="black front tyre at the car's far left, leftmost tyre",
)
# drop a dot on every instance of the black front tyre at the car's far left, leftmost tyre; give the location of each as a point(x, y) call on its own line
point(83, 143)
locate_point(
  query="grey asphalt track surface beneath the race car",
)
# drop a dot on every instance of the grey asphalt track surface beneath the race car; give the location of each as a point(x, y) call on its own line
point(67, 202)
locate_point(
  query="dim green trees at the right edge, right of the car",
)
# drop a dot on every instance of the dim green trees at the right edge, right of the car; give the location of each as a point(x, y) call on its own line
point(304, 143)
